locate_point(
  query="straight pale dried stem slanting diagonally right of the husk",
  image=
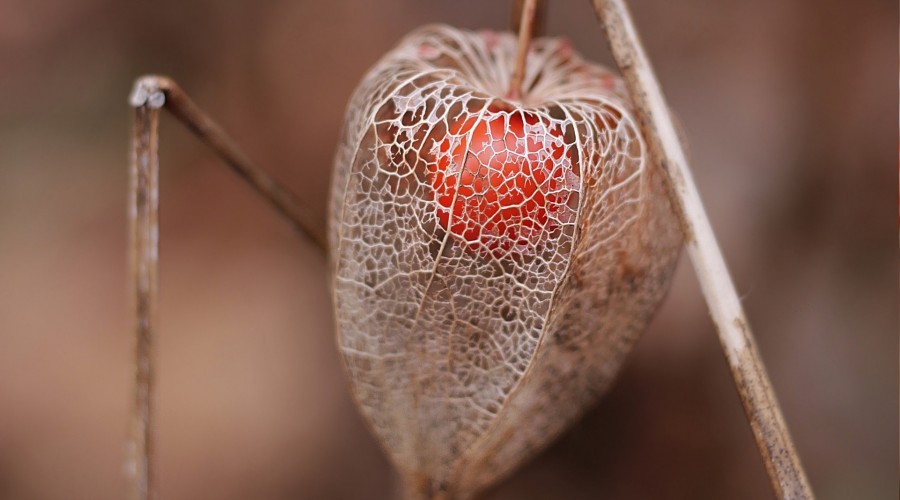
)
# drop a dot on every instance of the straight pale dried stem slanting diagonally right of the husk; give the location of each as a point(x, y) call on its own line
point(757, 396)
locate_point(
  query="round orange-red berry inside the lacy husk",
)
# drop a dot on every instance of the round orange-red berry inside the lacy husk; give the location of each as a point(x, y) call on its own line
point(499, 180)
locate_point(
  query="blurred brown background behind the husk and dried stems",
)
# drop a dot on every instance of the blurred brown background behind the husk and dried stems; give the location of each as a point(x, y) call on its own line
point(791, 112)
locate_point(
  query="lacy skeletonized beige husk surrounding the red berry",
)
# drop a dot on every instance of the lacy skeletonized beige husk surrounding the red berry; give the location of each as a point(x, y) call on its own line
point(468, 355)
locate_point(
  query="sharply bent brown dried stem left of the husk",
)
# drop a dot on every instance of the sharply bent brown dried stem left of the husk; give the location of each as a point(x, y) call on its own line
point(150, 95)
